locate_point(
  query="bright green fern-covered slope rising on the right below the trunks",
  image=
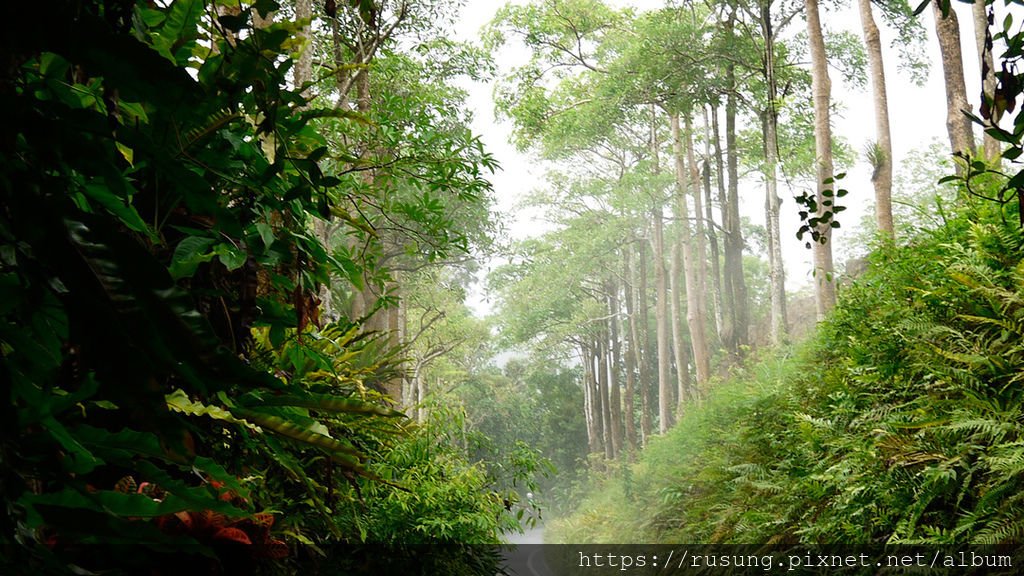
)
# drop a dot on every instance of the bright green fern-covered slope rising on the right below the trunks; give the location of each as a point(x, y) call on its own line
point(899, 423)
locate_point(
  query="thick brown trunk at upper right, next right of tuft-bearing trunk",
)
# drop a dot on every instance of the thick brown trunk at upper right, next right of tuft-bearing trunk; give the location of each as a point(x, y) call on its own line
point(958, 125)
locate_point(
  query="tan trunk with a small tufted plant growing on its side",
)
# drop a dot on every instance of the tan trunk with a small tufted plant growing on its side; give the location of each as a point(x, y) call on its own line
point(882, 178)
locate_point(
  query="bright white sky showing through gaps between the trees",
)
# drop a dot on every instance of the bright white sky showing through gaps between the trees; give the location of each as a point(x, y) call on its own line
point(917, 118)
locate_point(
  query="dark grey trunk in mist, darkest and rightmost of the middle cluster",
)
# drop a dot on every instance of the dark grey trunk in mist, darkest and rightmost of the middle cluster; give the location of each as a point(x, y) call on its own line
point(735, 236)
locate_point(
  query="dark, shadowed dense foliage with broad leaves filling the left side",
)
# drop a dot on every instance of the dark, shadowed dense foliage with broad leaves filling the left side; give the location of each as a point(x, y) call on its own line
point(173, 401)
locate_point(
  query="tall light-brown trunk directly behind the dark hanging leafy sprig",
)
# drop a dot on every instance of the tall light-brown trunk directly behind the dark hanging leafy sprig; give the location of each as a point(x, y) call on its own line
point(822, 89)
